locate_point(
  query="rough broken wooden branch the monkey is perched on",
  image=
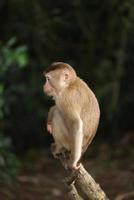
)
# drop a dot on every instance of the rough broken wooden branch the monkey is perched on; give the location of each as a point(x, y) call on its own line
point(80, 184)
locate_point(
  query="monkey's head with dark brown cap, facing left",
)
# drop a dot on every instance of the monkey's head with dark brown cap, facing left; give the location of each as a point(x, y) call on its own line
point(58, 76)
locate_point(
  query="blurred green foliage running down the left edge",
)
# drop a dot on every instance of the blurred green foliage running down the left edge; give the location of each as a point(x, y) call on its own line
point(11, 59)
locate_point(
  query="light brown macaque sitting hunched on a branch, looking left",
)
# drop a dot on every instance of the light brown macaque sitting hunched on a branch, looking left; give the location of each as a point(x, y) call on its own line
point(74, 118)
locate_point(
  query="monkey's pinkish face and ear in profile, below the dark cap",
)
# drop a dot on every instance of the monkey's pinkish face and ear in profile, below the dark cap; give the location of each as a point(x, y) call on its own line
point(55, 83)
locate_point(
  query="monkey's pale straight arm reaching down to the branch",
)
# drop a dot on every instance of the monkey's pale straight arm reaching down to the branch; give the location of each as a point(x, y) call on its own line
point(75, 127)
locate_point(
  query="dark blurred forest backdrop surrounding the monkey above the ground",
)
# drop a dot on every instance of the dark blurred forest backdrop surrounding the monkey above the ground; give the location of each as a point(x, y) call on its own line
point(97, 39)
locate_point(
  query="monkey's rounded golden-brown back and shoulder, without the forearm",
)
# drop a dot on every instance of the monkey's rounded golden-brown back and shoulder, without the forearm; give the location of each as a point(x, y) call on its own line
point(79, 96)
